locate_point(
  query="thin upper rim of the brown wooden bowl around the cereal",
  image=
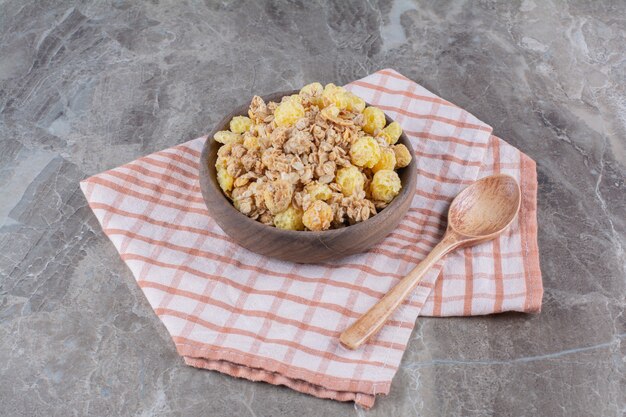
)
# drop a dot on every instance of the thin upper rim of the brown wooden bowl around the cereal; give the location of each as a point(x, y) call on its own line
point(379, 218)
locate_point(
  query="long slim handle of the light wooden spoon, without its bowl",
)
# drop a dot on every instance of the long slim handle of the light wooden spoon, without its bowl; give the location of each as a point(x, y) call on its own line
point(370, 323)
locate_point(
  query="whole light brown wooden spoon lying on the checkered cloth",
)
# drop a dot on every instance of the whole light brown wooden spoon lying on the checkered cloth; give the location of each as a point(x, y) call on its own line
point(479, 213)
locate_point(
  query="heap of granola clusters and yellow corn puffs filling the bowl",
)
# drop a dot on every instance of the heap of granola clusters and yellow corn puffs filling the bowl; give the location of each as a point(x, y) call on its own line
point(315, 160)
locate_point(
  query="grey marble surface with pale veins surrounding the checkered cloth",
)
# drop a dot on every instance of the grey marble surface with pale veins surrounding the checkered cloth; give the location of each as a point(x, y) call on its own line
point(89, 85)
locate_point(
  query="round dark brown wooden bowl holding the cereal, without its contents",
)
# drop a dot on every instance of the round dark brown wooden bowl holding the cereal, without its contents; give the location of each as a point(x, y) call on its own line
point(298, 246)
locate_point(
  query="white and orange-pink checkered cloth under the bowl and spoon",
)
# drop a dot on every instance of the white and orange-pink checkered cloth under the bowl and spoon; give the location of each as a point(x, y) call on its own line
point(254, 317)
